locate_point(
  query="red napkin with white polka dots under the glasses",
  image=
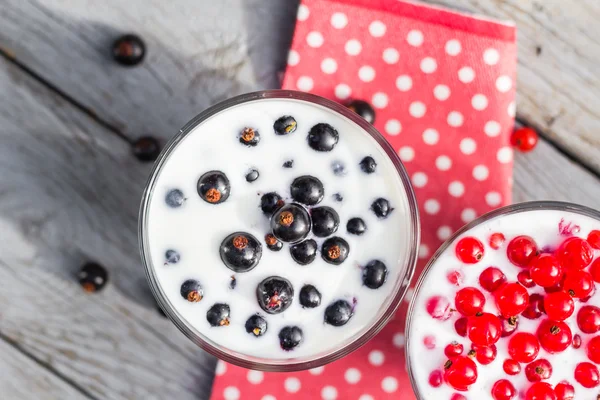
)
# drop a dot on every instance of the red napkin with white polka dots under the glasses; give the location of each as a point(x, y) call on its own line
point(442, 85)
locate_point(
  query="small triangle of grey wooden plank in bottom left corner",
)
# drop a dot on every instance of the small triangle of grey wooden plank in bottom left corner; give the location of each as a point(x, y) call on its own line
point(22, 378)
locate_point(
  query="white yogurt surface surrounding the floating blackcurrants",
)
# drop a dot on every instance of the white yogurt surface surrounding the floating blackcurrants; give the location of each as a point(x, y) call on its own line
point(197, 228)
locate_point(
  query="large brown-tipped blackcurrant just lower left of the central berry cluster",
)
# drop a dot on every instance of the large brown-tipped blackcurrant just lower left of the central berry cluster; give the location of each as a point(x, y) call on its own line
point(240, 251)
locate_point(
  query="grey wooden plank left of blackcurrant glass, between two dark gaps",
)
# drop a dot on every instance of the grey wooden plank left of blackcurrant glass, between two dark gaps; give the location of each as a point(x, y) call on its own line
point(69, 191)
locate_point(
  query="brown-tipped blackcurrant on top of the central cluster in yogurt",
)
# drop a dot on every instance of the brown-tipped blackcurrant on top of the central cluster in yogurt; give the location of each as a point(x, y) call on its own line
point(291, 223)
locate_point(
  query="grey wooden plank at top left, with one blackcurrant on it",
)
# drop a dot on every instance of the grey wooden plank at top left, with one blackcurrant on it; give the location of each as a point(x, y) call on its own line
point(199, 52)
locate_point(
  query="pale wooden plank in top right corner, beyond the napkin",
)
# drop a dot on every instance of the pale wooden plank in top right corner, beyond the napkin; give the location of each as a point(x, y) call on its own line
point(558, 85)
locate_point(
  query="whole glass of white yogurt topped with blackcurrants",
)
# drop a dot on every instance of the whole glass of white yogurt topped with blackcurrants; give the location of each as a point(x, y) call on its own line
point(279, 230)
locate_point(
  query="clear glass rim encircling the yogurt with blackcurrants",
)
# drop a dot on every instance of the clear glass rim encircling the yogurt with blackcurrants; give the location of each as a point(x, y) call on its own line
point(281, 365)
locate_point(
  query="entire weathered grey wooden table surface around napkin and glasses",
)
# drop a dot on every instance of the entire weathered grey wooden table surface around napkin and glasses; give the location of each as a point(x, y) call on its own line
point(70, 187)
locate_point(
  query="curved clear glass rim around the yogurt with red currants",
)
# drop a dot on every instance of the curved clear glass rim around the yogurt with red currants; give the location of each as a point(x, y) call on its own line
point(502, 211)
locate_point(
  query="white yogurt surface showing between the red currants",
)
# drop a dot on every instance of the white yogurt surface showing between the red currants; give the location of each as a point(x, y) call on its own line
point(543, 227)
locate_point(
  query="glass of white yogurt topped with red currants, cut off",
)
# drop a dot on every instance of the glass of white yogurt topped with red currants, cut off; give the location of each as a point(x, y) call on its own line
point(508, 308)
